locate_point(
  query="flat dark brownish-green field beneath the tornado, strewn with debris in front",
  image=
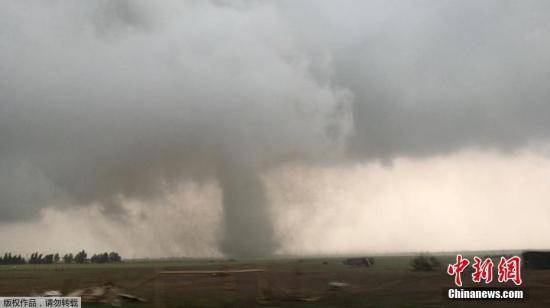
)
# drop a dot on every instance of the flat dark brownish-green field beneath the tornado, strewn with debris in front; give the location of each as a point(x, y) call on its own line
point(284, 283)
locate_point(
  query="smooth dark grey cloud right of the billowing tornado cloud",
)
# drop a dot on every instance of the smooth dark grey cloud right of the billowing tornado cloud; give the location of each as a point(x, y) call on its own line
point(436, 76)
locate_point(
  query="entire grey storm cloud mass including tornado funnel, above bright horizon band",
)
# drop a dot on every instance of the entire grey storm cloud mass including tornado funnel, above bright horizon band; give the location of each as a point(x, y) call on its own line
point(108, 99)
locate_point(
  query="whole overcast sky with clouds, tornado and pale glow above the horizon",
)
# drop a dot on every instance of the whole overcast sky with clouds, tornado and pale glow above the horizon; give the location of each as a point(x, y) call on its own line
point(274, 127)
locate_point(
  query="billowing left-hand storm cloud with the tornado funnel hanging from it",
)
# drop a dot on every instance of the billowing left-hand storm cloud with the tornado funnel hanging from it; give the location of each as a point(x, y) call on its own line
point(108, 100)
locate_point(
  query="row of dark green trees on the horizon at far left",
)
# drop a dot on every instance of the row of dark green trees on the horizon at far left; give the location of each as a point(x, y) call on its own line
point(79, 257)
